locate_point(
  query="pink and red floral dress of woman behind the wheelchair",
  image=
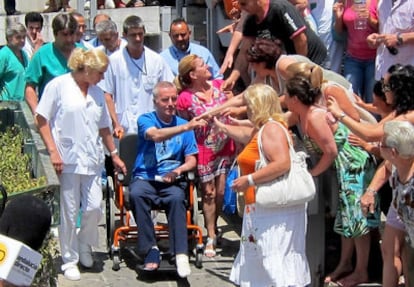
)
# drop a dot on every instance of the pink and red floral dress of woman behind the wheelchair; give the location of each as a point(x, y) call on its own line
point(215, 149)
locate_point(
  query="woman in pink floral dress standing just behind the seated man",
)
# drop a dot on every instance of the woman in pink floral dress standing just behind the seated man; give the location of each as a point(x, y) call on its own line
point(197, 95)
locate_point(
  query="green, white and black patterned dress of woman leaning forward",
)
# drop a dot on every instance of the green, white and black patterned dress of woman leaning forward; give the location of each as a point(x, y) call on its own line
point(355, 169)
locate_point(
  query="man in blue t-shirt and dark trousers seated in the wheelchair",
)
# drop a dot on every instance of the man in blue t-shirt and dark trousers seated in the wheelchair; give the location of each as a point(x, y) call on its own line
point(166, 149)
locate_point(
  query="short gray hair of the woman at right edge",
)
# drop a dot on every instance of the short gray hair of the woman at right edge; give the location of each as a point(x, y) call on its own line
point(400, 135)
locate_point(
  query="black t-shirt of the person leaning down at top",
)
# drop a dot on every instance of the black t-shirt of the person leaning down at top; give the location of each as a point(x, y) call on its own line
point(284, 22)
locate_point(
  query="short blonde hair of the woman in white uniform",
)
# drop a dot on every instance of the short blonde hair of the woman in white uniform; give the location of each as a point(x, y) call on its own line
point(94, 59)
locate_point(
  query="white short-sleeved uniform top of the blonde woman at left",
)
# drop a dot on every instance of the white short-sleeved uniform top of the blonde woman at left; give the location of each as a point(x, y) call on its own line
point(75, 121)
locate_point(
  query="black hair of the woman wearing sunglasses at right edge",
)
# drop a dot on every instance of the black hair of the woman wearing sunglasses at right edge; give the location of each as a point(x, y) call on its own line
point(401, 83)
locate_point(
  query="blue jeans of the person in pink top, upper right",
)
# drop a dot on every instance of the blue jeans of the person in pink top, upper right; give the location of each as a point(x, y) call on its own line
point(360, 73)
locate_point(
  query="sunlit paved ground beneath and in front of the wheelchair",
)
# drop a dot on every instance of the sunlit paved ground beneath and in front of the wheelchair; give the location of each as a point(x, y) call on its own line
point(215, 272)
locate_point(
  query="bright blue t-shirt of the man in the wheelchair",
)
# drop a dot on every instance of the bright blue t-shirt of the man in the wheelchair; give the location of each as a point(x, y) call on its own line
point(160, 158)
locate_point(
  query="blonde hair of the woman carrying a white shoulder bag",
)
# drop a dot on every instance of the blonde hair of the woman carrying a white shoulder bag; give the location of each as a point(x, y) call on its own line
point(263, 103)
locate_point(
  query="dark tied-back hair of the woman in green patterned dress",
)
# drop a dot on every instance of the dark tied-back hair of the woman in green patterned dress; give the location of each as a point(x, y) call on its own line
point(301, 88)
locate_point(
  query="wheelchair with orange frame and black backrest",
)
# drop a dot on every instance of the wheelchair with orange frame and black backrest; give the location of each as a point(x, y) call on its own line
point(120, 225)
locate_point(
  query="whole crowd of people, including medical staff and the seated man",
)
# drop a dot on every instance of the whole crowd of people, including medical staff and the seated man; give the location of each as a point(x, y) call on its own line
point(339, 74)
